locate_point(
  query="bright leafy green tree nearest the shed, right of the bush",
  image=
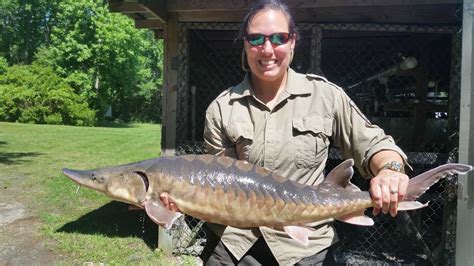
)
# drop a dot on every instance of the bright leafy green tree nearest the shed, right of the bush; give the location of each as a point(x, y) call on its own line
point(107, 60)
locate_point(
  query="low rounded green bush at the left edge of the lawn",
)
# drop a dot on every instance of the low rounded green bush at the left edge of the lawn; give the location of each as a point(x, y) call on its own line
point(35, 94)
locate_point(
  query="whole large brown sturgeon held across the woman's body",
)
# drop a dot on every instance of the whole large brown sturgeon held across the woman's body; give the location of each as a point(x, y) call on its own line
point(226, 191)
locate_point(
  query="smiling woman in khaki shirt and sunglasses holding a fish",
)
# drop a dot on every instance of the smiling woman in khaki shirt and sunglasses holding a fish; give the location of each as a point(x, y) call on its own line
point(285, 122)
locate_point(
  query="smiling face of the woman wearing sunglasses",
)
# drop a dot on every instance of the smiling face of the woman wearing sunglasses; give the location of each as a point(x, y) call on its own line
point(269, 62)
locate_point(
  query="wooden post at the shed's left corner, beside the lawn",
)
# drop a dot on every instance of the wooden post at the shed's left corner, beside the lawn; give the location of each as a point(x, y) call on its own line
point(168, 141)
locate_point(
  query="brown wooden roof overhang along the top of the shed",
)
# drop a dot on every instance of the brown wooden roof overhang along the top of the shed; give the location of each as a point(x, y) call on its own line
point(153, 14)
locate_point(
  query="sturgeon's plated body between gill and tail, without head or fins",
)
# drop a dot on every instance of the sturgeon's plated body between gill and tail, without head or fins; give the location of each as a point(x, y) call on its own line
point(240, 194)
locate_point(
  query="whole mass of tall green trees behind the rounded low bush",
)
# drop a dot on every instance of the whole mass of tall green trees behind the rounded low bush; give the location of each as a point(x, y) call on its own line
point(99, 54)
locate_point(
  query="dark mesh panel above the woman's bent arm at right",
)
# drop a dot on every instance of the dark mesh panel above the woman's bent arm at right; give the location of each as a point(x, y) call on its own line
point(399, 80)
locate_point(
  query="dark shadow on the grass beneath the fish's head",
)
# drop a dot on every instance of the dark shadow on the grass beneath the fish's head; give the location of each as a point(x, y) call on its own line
point(115, 220)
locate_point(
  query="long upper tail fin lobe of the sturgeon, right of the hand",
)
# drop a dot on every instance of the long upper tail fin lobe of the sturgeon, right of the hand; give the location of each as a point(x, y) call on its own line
point(421, 183)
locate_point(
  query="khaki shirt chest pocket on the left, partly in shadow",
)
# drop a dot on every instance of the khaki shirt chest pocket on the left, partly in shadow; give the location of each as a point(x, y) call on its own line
point(241, 135)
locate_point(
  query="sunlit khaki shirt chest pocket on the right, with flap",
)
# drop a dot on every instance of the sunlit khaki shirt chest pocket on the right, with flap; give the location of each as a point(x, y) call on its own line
point(311, 137)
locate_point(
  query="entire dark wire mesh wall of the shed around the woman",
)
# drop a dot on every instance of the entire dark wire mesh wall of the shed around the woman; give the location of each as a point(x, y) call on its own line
point(404, 78)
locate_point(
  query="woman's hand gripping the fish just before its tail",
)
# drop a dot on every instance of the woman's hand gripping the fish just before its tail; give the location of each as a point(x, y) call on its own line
point(387, 189)
